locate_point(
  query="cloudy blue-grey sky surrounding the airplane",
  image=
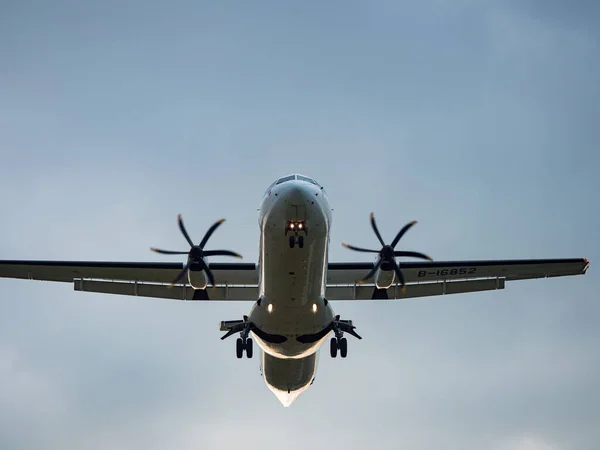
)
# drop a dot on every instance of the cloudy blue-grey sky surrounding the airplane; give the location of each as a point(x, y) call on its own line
point(476, 118)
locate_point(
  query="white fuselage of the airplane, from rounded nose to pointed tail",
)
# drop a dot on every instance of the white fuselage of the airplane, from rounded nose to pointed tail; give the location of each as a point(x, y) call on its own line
point(292, 280)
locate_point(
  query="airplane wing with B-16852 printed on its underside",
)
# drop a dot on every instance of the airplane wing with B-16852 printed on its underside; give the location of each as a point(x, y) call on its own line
point(445, 277)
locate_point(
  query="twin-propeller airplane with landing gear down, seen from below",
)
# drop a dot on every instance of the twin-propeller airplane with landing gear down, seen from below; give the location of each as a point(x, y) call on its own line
point(293, 284)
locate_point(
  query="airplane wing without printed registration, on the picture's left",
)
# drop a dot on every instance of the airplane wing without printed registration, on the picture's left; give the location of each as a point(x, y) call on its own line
point(236, 281)
